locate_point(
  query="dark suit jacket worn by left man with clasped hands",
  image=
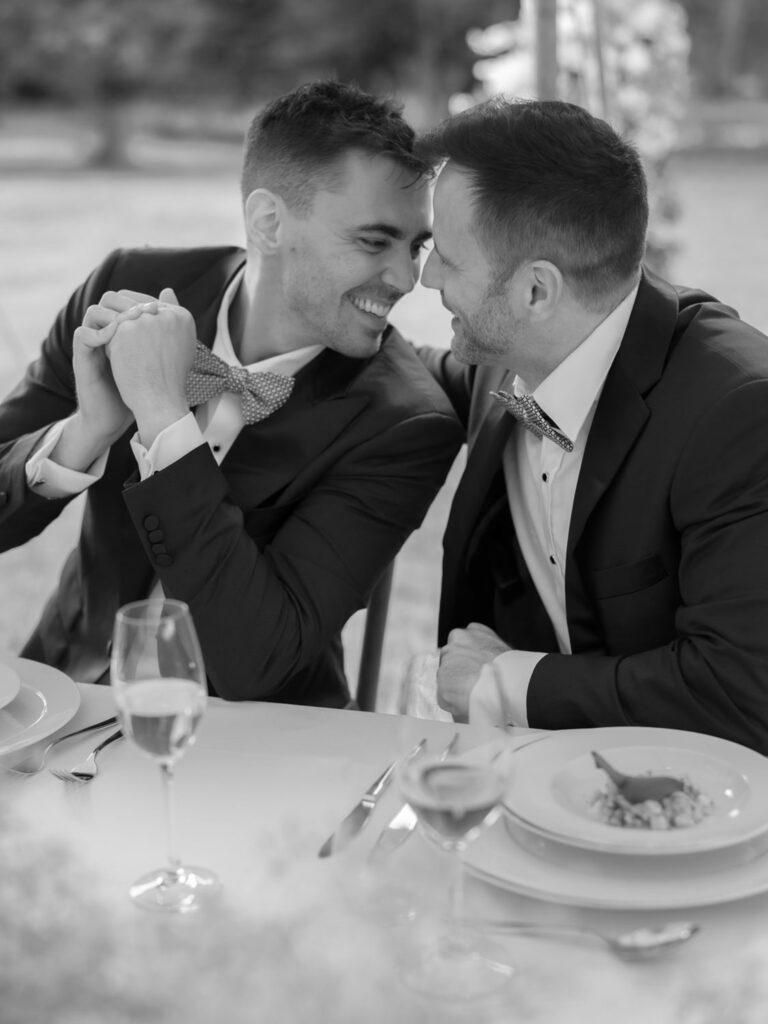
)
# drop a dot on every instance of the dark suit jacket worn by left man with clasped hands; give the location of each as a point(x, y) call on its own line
point(276, 549)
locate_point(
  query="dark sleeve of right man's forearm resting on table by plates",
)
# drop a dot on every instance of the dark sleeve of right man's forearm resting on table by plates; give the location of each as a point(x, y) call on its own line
point(713, 676)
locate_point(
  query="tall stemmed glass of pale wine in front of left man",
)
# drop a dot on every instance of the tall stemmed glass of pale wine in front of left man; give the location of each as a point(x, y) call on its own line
point(161, 693)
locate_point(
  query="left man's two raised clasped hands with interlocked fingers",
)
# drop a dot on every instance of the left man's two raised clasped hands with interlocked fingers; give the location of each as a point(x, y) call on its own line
point(132, 358)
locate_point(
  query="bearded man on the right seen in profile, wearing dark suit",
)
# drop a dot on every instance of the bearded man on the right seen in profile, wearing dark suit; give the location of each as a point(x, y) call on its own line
point(607, 554)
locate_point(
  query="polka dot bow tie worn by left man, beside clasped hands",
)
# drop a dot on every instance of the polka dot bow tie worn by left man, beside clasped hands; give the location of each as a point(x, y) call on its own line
point(262, 394)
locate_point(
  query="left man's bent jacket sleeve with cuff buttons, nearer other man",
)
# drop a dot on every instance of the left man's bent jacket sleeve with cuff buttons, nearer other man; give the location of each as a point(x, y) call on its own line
point(266, 611)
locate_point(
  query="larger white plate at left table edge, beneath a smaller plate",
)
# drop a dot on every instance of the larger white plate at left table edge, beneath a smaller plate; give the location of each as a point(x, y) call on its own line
point(47, 701)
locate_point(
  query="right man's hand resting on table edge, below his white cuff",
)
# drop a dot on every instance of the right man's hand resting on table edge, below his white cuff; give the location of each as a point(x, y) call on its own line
point(462, 661)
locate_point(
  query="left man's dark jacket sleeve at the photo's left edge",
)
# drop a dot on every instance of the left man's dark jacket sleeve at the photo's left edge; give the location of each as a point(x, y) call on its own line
point(46, 396)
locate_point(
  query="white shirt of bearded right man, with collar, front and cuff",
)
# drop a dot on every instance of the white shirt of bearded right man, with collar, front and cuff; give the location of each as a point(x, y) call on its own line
point(541, 481)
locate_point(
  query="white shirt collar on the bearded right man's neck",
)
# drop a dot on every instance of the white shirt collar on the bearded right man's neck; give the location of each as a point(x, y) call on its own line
point(569, 394)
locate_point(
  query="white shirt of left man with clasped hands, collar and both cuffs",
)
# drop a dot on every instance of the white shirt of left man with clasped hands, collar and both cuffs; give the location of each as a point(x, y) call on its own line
point(218, 422)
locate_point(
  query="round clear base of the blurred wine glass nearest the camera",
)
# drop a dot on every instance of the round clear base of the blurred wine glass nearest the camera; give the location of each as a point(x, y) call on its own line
point(459, 968)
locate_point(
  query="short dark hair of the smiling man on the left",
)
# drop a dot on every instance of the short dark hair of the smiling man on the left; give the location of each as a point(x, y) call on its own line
point(294, 146)
